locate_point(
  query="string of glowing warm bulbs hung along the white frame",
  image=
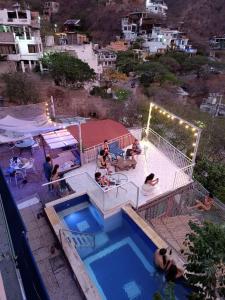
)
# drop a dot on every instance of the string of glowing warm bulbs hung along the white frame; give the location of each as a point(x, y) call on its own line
point(188, 126)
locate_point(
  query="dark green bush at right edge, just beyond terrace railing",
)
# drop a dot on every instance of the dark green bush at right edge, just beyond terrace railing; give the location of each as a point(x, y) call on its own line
point(212, 176)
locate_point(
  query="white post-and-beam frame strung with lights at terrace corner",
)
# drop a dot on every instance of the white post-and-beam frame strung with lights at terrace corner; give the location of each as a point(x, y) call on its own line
point(196, 130)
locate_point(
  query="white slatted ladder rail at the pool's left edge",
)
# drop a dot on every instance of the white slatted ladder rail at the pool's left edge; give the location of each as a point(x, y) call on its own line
point(80, 239)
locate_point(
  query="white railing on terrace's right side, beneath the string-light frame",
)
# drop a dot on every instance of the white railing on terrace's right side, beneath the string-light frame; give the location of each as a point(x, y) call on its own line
point(174, 155)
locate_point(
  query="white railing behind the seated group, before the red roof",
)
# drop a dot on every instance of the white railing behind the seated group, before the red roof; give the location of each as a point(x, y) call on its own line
point(91, 153)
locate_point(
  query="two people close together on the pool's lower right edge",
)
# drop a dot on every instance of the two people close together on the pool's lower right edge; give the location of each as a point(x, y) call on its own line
point(165, 263)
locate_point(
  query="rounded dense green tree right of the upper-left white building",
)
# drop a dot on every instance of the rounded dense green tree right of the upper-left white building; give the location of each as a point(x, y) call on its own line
point(67, 70)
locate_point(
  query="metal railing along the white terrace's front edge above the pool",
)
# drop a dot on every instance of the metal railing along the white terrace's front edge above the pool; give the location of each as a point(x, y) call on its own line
point(106, 198)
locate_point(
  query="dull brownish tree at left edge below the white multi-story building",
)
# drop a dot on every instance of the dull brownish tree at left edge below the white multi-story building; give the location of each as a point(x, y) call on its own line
point(20, 88)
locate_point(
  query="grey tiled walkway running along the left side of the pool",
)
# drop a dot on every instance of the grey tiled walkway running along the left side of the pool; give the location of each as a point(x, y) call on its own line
point(54, 269)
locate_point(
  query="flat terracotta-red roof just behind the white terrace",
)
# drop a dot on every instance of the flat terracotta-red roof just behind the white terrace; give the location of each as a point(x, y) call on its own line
point(95, 132)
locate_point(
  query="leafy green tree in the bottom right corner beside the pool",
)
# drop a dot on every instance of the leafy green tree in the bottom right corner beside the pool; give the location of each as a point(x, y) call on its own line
point(206, 260)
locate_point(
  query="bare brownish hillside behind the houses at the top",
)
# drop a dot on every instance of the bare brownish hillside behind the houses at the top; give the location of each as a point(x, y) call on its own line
point(199, 19)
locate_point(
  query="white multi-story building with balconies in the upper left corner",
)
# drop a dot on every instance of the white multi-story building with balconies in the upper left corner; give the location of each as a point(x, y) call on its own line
point(20, 40)
